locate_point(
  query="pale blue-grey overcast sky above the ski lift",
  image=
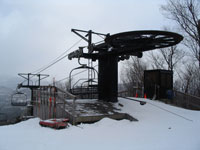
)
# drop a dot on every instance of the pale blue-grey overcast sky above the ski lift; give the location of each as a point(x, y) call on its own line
point(35, 32)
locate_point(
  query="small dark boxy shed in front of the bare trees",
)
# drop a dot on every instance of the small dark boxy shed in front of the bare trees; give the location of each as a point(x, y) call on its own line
point(158, 84)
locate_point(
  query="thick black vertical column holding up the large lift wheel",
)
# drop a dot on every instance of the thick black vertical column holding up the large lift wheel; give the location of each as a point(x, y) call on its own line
point(108, 78)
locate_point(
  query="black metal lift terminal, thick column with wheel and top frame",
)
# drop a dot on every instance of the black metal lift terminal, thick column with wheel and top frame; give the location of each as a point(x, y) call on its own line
point(119, 47)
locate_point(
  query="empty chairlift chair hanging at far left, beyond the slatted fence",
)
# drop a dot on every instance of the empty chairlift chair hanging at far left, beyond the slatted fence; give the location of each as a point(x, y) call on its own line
point(19, 99)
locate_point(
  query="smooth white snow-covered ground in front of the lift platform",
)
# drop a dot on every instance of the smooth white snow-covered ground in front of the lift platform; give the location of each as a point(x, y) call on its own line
point(160, 127)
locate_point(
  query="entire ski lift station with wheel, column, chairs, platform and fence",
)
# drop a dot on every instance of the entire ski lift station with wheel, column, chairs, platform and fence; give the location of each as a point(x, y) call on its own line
point(94, 97)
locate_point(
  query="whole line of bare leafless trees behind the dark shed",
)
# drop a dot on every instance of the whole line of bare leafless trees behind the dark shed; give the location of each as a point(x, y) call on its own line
point(182, 59)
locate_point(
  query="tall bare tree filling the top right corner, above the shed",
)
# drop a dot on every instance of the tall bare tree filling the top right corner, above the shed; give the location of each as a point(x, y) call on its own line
point(186, 14)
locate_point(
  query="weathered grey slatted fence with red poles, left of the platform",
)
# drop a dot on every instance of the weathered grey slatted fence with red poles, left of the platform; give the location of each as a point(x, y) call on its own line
point(50, 102)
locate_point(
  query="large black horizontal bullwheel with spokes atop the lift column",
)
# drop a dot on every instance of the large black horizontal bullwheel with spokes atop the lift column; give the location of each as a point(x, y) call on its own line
point(139, 41)
